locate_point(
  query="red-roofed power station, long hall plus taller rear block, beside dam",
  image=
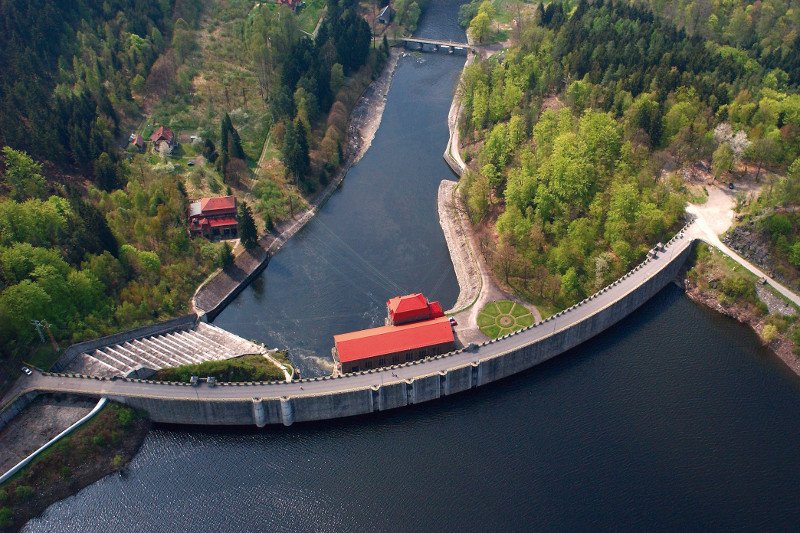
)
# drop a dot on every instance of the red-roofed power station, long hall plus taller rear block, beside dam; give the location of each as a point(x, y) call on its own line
point(415, 328)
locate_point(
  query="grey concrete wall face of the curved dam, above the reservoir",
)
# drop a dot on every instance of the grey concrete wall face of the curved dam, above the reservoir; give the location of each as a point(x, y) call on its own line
point(424, 388)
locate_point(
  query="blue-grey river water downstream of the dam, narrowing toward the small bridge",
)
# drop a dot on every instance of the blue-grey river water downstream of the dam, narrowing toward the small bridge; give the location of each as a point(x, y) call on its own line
point(379, 236)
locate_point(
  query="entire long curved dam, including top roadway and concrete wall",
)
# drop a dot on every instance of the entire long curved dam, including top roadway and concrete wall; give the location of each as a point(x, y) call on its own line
point(392, 387)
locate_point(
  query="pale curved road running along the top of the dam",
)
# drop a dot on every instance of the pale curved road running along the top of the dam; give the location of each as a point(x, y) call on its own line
point(122, 388)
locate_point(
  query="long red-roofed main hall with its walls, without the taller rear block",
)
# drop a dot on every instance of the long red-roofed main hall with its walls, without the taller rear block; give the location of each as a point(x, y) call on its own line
point(392, 345)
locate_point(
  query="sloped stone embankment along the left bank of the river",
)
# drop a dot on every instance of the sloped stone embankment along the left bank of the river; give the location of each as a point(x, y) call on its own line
point(224, 285)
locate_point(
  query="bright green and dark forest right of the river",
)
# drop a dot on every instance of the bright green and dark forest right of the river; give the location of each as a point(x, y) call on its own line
point(575, 134)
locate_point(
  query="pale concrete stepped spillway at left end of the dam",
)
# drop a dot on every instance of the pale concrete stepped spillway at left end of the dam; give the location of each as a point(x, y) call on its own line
point(202, 343)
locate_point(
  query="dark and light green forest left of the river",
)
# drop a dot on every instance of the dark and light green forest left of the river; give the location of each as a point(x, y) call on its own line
point(93, 238)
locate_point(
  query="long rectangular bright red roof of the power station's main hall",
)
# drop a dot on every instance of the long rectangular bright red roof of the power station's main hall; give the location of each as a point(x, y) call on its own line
point(392, 339)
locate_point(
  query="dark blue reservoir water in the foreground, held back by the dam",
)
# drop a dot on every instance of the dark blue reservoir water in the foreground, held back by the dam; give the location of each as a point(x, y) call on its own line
point(675, 419)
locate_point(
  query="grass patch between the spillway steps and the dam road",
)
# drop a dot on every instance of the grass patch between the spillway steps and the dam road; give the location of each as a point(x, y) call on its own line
point(245, 368)
